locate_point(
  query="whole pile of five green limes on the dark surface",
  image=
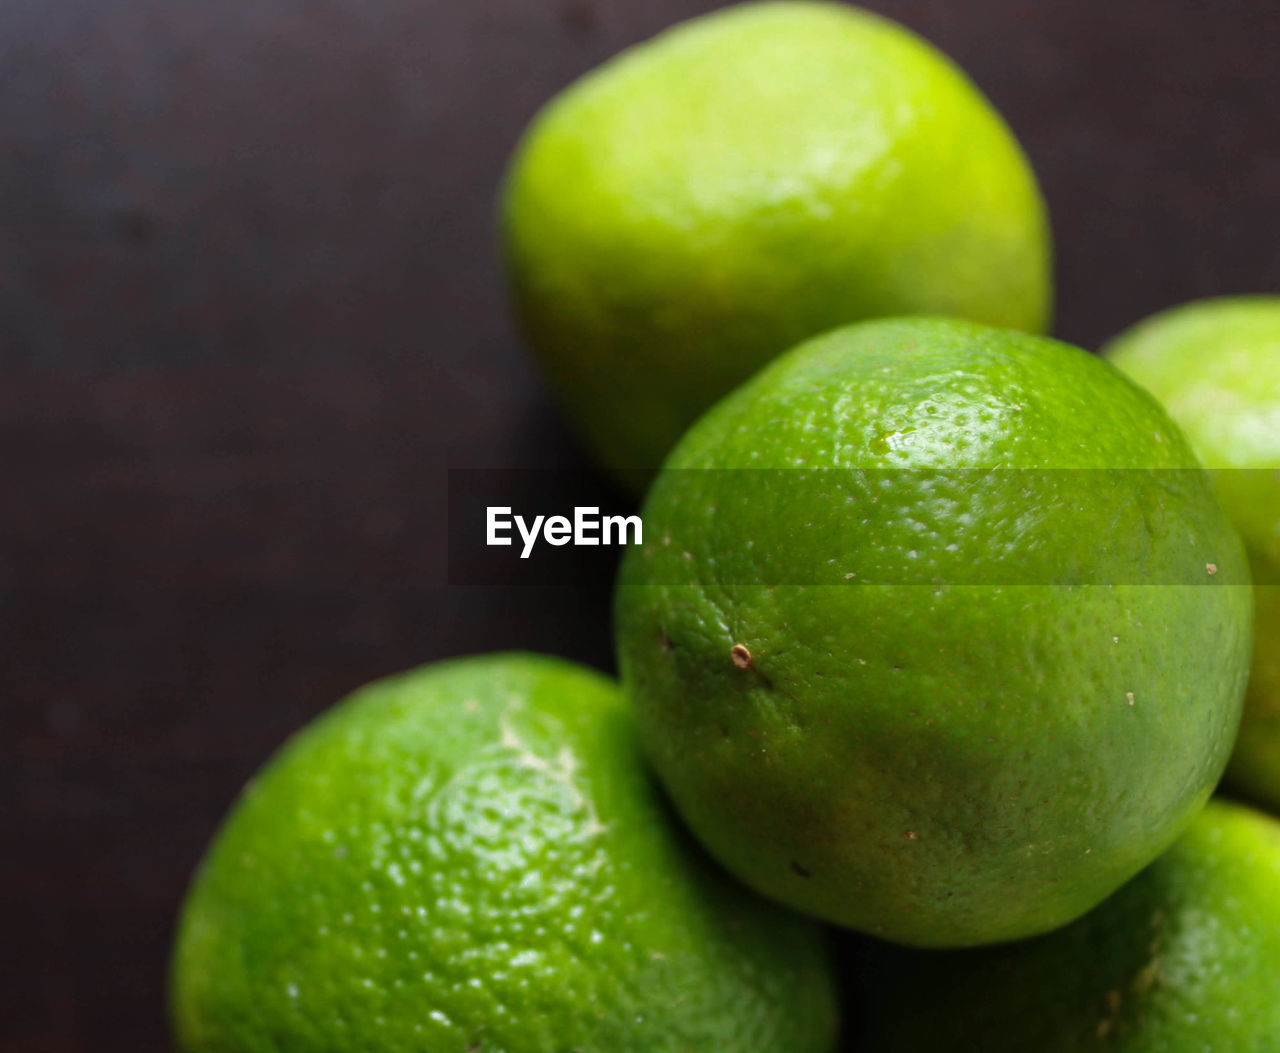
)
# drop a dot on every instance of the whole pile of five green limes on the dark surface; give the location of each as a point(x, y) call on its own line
point(941, 631)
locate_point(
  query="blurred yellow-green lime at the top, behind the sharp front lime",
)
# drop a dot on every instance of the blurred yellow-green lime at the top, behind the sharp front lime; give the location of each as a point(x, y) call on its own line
point(744, 181)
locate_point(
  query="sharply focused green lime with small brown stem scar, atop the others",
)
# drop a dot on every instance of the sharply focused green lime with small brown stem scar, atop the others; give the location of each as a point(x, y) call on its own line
point(938, 631)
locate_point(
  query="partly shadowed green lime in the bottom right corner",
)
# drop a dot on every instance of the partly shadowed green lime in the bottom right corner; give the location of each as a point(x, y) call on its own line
point(1186, 959)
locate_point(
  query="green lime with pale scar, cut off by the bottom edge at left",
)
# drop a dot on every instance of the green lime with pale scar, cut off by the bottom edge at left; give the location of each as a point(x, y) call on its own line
point(472, 858)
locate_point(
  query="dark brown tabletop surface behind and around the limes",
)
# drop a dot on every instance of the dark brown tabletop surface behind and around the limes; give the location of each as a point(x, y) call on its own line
point(250, 315)
